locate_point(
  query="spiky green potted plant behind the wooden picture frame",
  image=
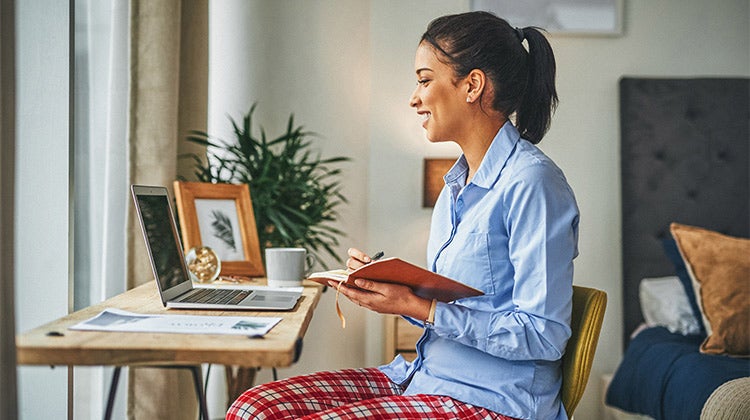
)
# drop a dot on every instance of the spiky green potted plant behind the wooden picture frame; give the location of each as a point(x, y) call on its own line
point(295, 192)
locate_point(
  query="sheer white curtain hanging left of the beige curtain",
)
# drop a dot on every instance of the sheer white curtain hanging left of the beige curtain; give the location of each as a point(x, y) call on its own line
point(100, 174)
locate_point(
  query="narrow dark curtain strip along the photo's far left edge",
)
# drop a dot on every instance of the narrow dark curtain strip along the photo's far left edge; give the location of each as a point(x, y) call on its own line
point(8, 393)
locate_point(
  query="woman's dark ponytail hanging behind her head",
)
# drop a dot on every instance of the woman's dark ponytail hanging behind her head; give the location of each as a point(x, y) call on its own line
point(534, 113)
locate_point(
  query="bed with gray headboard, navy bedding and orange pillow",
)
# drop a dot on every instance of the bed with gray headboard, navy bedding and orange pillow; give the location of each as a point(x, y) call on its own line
point(685, 153)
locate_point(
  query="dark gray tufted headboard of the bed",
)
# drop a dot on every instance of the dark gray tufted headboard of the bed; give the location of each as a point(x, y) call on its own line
point(685, 148)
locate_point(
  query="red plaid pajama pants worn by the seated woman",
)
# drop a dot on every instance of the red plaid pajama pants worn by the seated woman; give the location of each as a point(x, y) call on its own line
point(347, 394)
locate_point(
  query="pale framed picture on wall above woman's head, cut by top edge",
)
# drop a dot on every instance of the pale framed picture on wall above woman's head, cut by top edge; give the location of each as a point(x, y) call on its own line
point(568, 17)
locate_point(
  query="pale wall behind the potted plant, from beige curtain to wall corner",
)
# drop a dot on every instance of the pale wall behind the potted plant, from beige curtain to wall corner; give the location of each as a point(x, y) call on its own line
point(310, 59)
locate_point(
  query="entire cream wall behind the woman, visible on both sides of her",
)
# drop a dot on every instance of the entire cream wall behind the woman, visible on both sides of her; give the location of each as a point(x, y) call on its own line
point(352, 85)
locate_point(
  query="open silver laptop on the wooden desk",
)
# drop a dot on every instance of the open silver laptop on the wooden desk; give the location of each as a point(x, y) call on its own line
point(168, 264)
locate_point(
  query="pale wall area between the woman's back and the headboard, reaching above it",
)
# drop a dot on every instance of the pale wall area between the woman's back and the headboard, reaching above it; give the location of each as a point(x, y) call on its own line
point(662, 39)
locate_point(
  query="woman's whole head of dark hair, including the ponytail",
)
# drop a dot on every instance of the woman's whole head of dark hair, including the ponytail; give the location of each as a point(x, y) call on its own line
point(524, 81)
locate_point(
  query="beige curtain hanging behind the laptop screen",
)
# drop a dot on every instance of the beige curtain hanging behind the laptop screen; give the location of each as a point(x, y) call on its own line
point(168, 96)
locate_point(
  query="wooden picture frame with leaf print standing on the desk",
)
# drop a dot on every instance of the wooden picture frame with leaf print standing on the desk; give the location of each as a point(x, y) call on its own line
point(221, 217)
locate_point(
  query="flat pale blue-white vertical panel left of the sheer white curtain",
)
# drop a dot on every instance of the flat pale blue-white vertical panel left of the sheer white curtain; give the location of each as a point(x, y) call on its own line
point(42, 191)
